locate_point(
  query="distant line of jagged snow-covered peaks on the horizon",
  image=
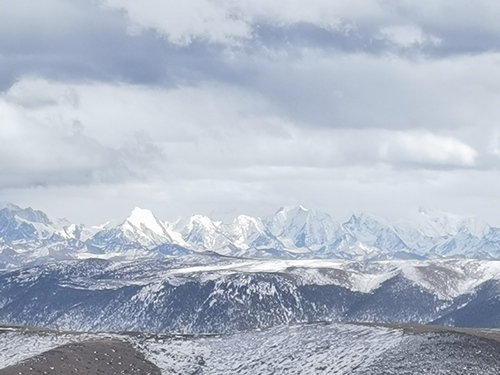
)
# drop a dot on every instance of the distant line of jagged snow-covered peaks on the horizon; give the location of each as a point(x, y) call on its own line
point(29, 236)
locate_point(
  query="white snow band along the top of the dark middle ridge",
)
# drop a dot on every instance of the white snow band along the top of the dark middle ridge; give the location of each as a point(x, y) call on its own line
point(447, 279)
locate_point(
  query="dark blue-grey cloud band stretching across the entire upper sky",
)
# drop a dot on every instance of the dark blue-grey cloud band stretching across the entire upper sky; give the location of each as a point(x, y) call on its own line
point(85, 40)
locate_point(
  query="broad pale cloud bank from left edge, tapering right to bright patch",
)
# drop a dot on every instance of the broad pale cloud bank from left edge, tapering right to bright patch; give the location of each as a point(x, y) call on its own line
point(92, 133)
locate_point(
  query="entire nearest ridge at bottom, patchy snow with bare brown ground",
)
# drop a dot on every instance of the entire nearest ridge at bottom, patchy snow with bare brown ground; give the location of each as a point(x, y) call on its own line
point(308, 349)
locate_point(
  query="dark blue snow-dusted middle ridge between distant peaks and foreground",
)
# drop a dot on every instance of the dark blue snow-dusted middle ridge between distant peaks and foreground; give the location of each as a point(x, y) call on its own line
point(213, 294)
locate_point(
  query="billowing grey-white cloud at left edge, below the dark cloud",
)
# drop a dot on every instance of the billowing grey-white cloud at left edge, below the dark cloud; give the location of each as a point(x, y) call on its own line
point(52, 151)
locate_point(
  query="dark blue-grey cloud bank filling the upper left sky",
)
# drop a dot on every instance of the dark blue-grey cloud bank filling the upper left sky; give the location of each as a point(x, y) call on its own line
point(94, 43)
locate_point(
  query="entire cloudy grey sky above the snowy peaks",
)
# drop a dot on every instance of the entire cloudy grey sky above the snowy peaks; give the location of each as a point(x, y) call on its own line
point(222, 107)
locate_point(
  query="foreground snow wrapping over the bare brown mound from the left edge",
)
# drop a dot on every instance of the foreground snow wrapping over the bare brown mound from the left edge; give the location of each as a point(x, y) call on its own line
point(332, 348)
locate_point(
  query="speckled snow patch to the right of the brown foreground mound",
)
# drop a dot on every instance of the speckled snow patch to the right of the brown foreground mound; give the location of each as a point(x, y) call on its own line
point(303, 349)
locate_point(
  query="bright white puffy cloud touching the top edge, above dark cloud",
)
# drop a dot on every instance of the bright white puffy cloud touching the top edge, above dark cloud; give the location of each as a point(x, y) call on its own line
point(228, 22)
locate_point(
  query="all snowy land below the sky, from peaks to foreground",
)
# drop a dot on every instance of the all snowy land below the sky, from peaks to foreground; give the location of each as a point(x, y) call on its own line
point(212, 297)
